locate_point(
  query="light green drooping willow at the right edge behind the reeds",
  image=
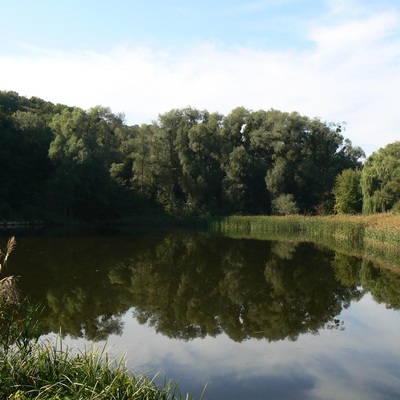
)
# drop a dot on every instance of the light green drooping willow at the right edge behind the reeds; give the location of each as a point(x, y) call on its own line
point(380, 179)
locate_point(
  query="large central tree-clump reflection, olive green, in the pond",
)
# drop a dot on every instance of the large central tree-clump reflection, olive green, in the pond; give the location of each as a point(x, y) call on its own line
point(195, 287)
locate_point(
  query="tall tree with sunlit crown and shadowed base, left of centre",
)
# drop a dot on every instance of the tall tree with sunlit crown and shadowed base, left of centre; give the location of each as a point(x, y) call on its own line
point(82, 151)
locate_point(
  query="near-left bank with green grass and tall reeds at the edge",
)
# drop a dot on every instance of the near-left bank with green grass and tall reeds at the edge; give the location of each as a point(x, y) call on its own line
point(31, 368)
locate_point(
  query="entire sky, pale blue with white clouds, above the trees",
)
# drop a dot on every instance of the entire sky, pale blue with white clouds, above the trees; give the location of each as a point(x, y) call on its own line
point(336, 60)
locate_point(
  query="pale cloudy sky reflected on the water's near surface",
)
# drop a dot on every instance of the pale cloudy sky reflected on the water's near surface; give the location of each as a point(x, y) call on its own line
point(360, 362)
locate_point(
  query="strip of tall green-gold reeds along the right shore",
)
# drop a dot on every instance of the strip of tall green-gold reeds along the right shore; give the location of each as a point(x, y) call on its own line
point(376, 237)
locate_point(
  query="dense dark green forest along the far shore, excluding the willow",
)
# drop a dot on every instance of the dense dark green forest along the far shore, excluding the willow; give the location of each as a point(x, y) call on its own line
point(61, 162)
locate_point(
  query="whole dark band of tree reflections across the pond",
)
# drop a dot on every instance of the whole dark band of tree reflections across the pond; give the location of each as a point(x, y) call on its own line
point(189, 286)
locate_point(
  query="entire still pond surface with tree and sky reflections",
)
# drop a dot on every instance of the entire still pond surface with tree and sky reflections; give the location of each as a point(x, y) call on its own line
point(252, 319)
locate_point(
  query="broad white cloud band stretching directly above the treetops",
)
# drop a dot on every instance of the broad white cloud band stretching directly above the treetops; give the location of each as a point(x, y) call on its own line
point(349, 74)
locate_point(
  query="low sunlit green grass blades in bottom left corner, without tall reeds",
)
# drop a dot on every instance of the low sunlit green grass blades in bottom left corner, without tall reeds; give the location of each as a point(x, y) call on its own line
point(49, 371)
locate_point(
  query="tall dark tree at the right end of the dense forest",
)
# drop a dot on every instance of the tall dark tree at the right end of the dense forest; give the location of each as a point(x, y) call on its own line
point(308, 155)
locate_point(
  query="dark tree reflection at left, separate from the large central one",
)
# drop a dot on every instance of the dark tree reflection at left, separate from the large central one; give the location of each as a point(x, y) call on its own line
point(70, 278)
